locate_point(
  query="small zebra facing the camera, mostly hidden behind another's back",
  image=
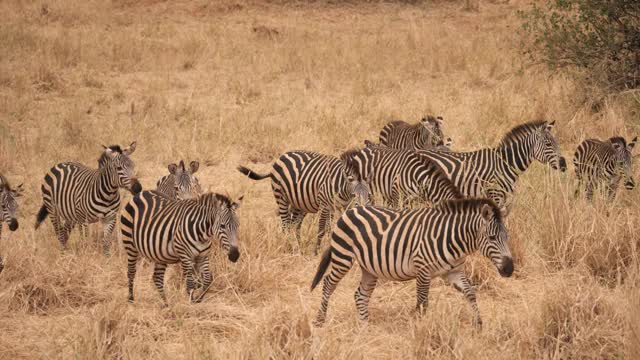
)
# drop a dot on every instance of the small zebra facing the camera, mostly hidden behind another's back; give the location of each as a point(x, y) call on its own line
point(180, 184)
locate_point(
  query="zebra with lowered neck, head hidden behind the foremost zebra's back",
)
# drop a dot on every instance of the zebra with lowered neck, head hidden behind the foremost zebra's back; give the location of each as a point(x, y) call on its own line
point(401, 176)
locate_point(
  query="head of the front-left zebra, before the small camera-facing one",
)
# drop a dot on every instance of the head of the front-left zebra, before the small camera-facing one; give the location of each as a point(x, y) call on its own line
point(225, 223)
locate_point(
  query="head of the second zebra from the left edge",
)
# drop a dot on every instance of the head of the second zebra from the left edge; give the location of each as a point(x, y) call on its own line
point(118, 160)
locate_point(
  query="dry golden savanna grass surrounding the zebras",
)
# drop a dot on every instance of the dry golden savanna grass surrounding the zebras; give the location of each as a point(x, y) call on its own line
point(229, 82)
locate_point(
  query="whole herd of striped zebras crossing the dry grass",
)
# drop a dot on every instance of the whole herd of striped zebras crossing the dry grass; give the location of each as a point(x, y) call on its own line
point(437, 206)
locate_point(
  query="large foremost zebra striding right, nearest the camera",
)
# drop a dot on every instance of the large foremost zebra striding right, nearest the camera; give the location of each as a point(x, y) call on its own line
point(416, 244)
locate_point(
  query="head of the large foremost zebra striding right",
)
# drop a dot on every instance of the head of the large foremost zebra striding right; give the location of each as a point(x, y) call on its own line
point(493, 240)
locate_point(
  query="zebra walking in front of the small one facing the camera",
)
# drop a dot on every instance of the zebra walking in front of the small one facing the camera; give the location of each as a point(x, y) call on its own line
point(169, 231)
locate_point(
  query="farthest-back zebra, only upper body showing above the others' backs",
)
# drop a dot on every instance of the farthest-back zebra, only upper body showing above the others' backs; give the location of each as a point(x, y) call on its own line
point(421, 136)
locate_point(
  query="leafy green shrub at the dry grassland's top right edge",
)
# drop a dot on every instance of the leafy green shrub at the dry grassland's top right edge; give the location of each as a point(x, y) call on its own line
point(599, 38)
